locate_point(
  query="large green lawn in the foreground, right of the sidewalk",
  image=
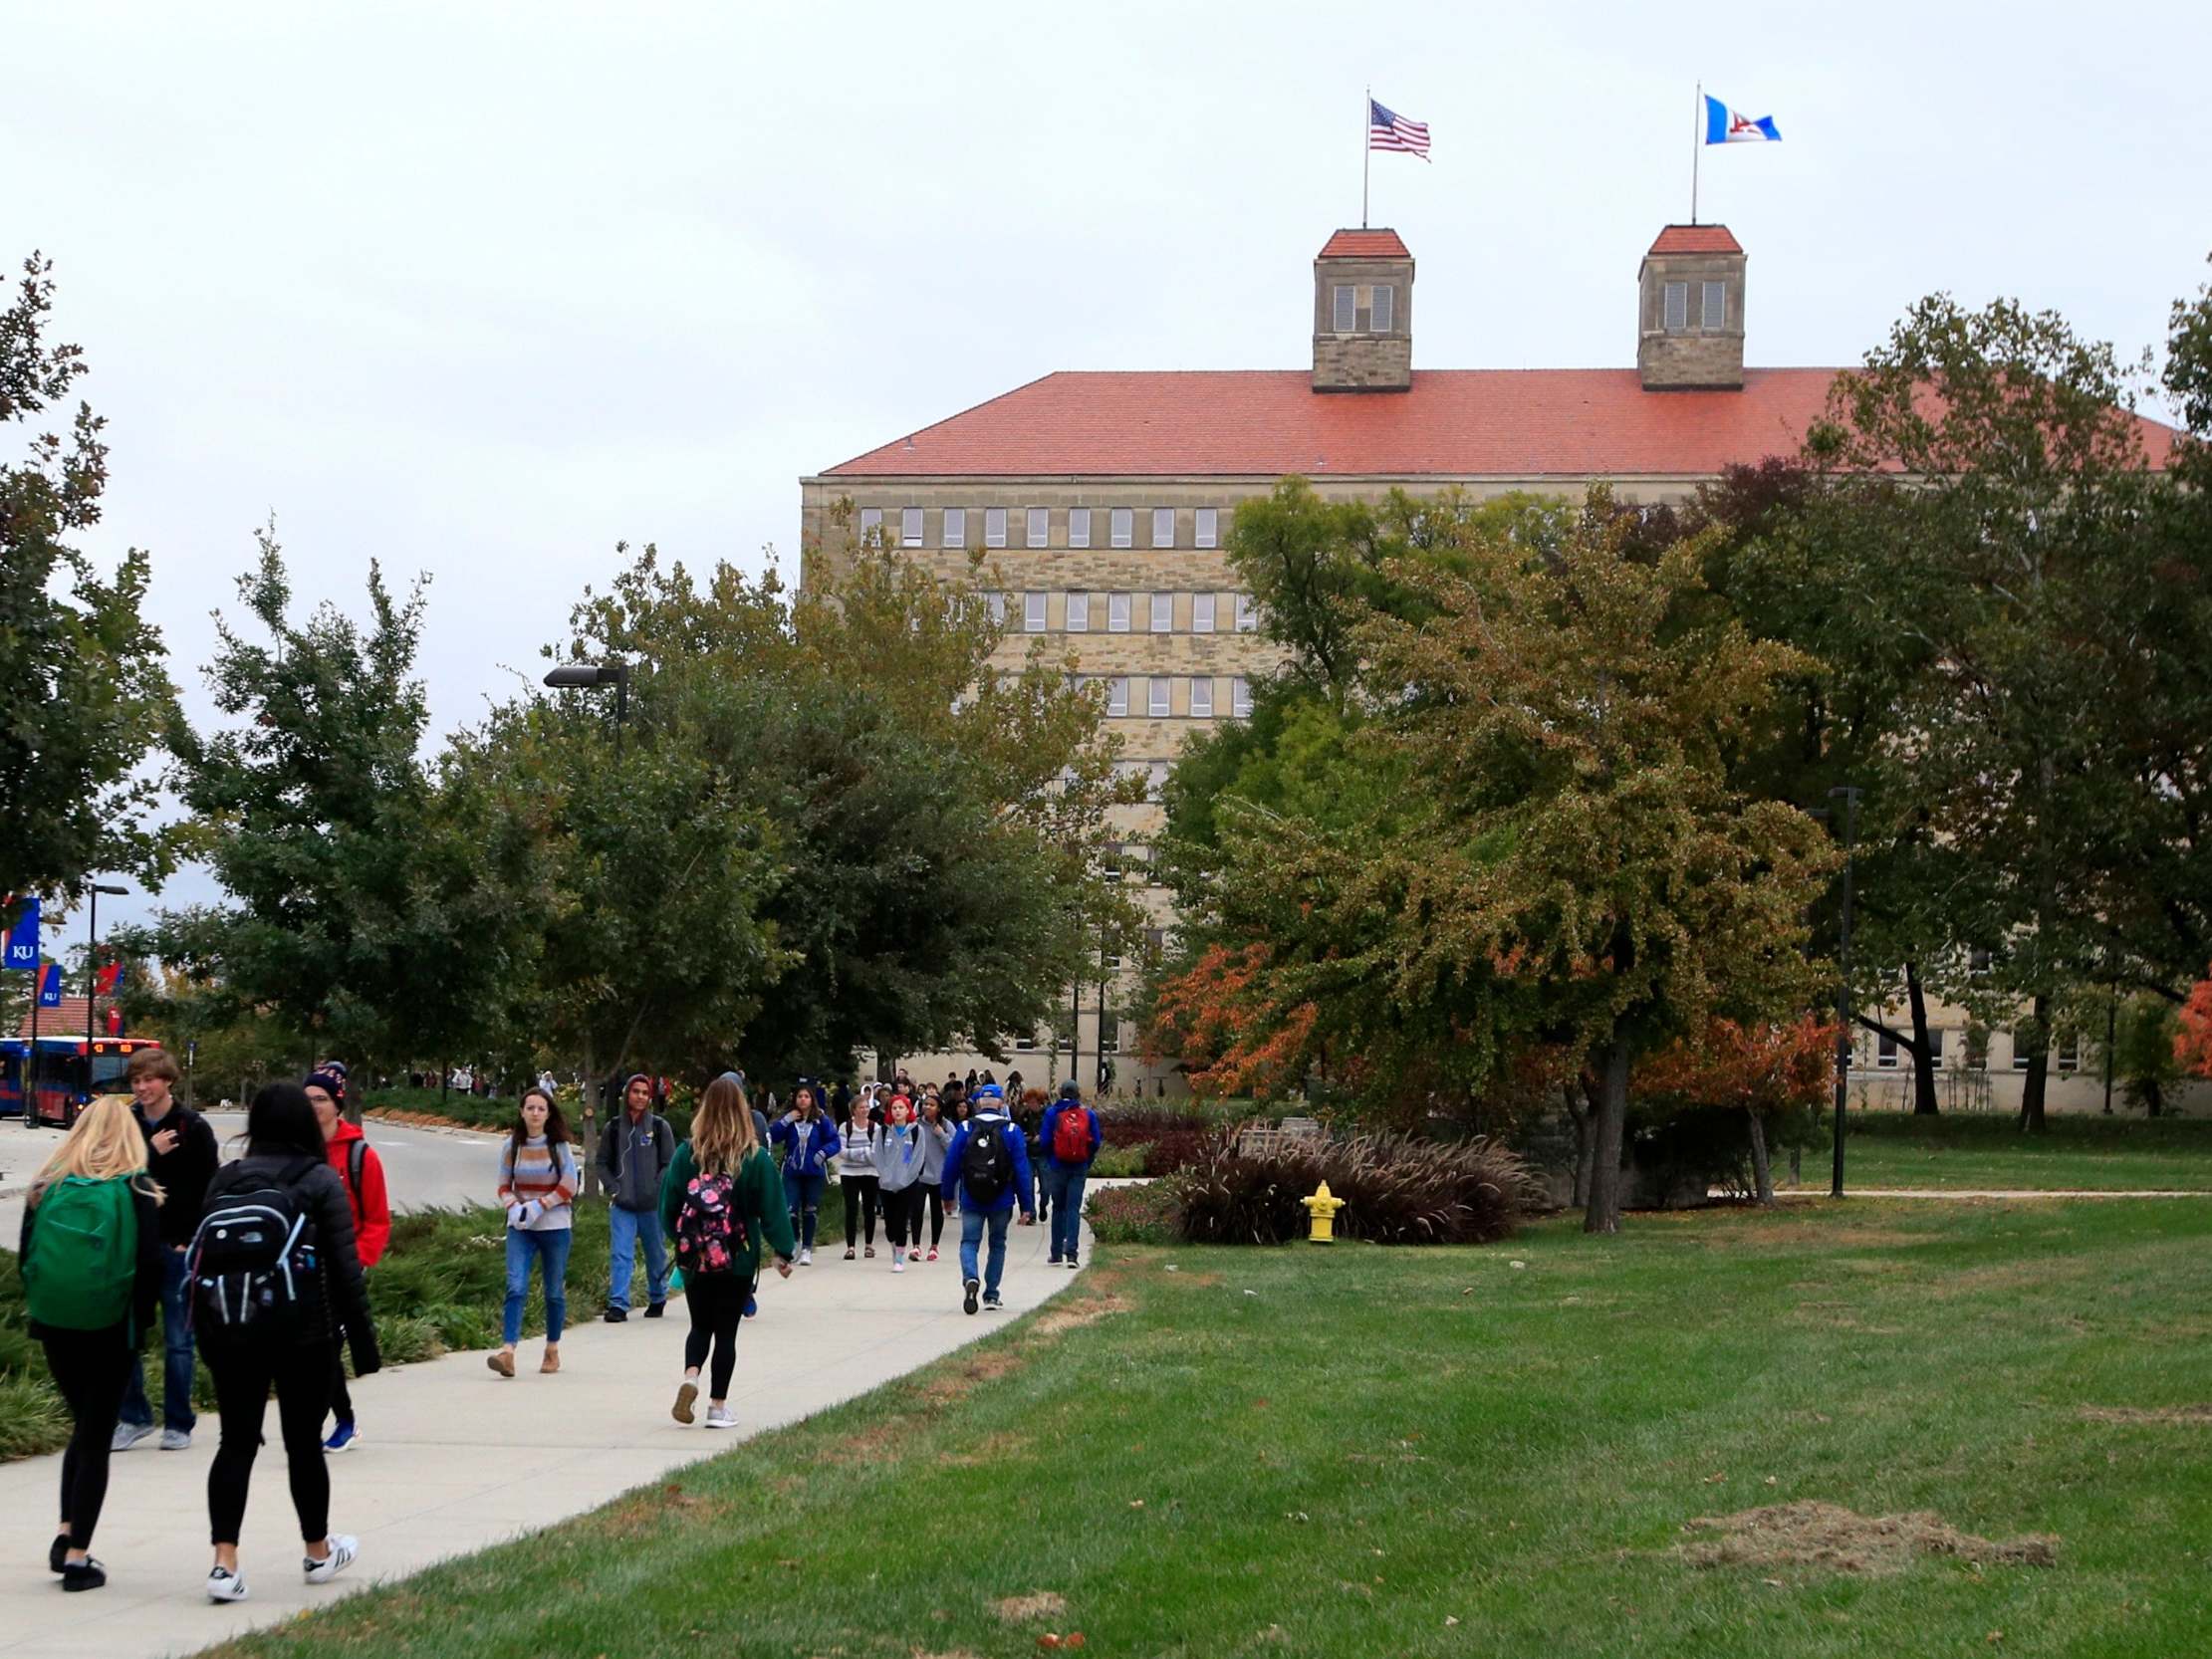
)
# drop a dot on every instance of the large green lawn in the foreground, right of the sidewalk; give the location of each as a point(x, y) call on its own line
point(1437, 1452)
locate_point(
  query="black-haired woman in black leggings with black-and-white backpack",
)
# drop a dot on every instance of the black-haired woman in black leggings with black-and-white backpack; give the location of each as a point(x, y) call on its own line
point(275, 1288)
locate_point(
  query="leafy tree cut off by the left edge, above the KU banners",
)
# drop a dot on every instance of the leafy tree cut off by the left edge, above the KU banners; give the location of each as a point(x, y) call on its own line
point(83, 691)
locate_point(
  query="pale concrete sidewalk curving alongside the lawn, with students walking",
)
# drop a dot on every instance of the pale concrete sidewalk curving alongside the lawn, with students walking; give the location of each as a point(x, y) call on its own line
point(455, 1459)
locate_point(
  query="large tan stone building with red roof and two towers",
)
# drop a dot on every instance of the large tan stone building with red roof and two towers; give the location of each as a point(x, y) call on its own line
point(1103, 501)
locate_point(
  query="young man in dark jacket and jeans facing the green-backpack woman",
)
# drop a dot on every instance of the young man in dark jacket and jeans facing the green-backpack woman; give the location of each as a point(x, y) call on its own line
point(180, 1160)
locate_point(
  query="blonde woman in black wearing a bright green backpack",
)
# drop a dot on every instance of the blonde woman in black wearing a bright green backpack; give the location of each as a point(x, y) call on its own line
point(92, 1273)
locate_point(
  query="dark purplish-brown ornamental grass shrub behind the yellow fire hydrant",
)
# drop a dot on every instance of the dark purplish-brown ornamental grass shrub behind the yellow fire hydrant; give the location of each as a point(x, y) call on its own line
point(1397, 1191)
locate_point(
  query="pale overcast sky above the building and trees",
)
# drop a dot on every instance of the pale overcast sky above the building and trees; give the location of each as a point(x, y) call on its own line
point(481, 291)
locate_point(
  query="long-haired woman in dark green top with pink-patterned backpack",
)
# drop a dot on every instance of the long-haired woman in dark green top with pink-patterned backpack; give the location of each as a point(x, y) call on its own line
point(720, 1200)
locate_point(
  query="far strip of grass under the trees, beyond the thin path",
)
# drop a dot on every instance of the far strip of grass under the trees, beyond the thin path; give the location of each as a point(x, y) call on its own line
point(1985, 1151)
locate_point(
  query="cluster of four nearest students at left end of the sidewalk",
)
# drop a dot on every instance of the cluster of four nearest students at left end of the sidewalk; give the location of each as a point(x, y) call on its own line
point(258, 1264)
